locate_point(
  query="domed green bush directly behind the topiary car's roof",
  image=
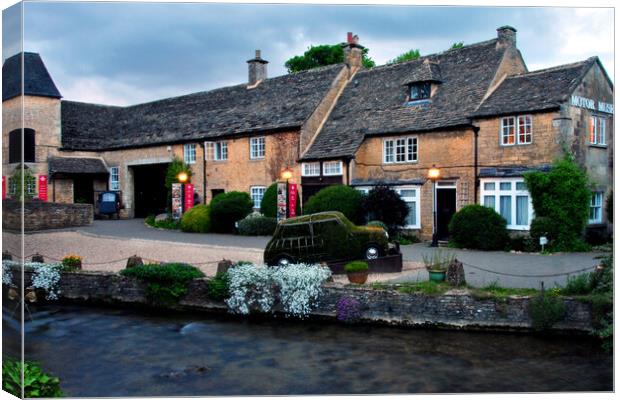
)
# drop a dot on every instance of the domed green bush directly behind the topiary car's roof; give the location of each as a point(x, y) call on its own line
point(337, 198)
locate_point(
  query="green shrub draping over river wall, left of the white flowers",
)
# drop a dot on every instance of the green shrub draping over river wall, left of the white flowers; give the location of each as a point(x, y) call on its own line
point(166, 283)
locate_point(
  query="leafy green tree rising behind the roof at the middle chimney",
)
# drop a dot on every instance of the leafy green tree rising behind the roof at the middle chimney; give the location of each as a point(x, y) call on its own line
point(318, 56)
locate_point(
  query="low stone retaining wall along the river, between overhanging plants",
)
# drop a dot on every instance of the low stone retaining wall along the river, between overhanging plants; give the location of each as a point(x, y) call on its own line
point(456, 309)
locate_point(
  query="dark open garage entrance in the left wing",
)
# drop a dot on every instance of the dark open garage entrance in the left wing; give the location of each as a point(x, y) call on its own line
point(150, 194)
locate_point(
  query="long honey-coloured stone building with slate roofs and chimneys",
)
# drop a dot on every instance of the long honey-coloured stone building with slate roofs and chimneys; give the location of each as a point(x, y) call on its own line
point(476, 113)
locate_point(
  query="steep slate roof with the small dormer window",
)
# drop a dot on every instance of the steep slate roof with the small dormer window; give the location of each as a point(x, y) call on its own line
point(376, 101)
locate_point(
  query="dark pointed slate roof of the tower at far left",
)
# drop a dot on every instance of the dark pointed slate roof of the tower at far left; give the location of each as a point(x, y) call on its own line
point(37, 81)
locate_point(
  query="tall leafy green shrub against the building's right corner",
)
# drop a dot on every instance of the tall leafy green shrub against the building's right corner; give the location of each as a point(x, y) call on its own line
point(563, 196)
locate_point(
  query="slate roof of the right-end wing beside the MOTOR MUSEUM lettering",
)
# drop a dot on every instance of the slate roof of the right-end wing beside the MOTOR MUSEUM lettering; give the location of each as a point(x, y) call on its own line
point(535, 91)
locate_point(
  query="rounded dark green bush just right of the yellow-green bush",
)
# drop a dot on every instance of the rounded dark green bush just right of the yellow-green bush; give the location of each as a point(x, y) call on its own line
point(228, 208)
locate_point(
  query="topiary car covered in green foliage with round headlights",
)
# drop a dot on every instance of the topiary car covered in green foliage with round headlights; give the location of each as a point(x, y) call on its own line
point(325, 237)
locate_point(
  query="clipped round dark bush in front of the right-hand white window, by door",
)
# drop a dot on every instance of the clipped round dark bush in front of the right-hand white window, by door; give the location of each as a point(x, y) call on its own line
point(478, 227)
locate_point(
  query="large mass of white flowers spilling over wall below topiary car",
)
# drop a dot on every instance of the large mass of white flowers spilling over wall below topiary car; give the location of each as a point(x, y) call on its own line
point(296, 287)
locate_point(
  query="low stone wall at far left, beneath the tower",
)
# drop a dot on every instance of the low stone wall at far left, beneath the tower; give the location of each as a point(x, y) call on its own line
point(40, 216)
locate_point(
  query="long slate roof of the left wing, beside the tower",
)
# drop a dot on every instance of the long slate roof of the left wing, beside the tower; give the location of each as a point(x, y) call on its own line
point(277, 103)
